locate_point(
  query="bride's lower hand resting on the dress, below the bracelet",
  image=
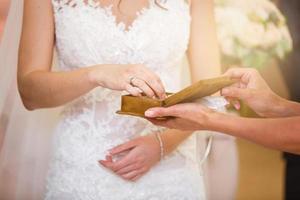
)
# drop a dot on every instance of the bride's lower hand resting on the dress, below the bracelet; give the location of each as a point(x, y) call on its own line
point(142, 153)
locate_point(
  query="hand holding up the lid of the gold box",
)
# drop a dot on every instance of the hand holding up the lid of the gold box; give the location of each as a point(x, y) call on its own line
point(254, 91)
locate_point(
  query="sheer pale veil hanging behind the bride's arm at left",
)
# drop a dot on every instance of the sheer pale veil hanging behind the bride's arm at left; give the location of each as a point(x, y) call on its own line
point(25, 137)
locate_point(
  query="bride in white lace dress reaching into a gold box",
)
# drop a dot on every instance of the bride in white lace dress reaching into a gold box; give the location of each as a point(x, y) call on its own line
point(106, 48)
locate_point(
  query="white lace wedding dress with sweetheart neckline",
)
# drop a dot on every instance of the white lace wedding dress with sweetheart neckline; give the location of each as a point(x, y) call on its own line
point(87, 34)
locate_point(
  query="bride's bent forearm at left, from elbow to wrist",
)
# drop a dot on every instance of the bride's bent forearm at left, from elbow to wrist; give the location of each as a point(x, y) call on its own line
point(44, 89)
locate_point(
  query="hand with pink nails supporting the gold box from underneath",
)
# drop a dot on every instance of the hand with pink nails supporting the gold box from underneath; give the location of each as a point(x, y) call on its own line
point(185, 116)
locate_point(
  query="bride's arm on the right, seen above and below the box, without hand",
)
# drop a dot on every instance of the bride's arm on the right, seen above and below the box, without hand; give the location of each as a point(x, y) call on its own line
point(204, 62)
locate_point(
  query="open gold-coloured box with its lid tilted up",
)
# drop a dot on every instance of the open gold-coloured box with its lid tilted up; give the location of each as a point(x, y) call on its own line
point(136, 106)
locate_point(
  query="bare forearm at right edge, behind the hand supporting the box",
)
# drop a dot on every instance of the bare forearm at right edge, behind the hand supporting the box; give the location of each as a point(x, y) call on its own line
point(278, 133)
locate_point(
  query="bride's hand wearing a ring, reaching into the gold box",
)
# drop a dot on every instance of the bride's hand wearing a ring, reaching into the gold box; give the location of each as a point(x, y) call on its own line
point(135, 79)
